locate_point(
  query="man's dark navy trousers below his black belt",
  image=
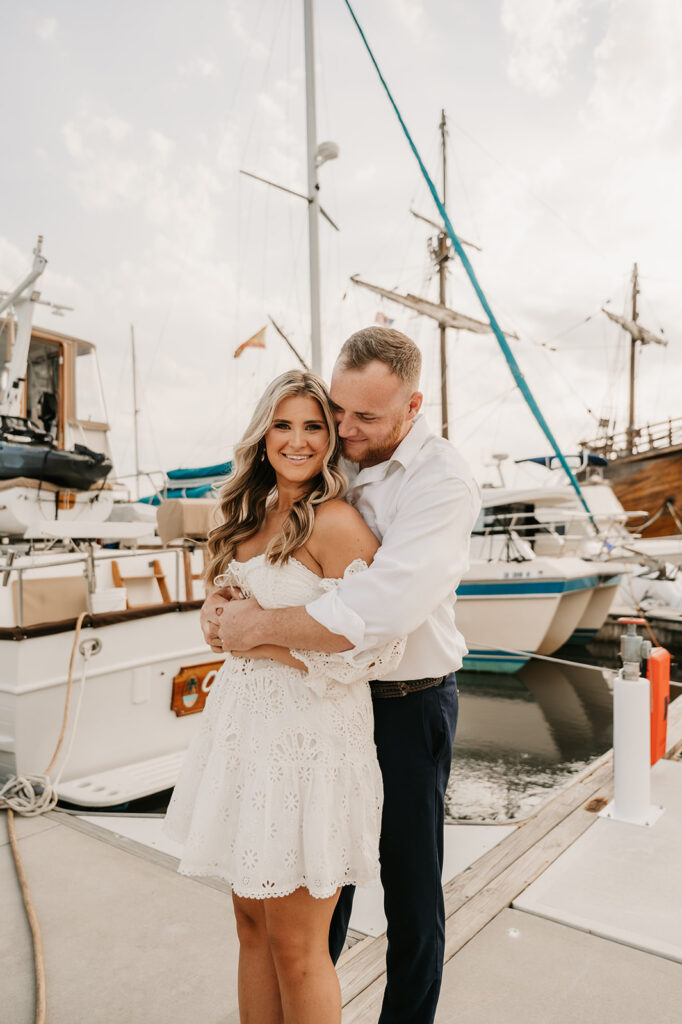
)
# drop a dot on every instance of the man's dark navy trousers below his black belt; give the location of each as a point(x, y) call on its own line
point(414, 737)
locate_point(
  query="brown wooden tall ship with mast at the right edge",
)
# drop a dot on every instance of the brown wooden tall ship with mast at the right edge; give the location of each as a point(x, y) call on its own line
point(644, 464)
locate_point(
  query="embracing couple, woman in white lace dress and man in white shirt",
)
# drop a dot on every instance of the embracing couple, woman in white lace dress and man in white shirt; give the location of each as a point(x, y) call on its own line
point(326, 744)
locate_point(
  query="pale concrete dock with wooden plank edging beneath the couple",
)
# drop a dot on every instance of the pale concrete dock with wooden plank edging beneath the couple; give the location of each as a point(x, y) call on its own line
point(126, 940)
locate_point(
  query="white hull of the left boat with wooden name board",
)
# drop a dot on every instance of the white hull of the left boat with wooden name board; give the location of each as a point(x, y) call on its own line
point(125, 716)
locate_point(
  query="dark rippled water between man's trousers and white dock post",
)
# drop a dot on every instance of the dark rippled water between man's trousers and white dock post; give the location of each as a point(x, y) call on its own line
point(521, 739)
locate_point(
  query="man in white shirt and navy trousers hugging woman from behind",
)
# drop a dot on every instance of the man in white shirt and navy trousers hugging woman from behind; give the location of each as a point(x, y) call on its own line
point(419, 498)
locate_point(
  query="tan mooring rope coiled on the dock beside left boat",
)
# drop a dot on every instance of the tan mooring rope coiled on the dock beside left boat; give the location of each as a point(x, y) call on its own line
point(33, 795)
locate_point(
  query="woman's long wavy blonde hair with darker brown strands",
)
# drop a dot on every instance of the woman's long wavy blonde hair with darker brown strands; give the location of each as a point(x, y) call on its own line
point(251, 489)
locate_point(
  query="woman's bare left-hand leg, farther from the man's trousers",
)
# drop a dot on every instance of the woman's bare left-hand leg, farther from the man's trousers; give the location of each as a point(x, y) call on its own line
point(258, 980)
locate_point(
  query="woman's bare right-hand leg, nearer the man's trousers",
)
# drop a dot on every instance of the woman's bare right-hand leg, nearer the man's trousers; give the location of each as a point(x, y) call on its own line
point(299, 930)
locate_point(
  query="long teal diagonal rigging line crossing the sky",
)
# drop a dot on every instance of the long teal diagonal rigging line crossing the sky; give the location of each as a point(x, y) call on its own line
point(504, 345)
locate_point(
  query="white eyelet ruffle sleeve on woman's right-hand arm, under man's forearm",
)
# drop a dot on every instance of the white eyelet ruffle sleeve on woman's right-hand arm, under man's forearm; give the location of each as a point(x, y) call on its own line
point(350, 667)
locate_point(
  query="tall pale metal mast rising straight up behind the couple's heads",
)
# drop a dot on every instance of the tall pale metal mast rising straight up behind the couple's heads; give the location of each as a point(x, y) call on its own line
point(314, 190)
